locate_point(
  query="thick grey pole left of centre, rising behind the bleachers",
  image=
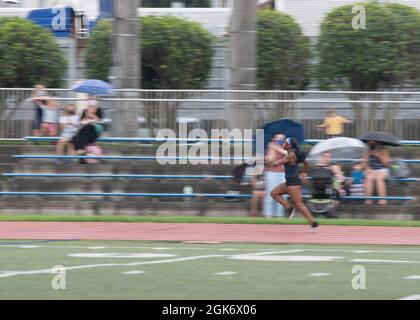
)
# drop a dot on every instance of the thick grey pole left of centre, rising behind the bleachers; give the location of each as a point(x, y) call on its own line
point(126, 63)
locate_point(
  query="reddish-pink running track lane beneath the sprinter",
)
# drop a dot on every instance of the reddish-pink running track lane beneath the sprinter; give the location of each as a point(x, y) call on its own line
point(208, 233)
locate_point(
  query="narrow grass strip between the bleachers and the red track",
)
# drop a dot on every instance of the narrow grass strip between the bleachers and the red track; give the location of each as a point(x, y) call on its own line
point(208, 220)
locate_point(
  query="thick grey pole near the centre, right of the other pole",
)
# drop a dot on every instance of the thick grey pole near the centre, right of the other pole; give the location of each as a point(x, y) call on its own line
point(243, 37)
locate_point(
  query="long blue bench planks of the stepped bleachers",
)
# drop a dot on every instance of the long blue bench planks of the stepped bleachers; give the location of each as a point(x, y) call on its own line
point(156, 179)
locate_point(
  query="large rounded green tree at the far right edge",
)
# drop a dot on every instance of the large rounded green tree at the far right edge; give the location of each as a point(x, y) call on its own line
point(383, 55)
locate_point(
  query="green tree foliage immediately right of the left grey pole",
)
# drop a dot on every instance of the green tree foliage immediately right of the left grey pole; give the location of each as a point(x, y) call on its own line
point(177, 54)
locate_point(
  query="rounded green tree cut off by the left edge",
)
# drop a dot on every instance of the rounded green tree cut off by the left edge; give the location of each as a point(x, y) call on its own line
point(29, 55)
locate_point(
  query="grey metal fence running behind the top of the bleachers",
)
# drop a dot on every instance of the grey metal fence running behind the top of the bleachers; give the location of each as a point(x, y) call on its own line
point(142, 113)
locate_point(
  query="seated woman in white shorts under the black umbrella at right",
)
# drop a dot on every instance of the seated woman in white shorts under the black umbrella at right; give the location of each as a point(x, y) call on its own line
point(376, 164)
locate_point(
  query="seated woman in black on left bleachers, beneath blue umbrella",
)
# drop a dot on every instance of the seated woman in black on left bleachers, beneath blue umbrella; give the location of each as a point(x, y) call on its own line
point(91, 128)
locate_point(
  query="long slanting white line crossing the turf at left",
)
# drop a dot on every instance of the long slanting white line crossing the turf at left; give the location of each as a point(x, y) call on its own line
point(106, 265)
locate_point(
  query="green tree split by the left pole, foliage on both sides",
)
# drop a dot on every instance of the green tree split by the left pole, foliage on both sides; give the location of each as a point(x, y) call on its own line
point(176, 54)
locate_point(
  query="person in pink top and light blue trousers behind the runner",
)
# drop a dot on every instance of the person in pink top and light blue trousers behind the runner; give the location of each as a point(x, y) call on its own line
point(274, 175)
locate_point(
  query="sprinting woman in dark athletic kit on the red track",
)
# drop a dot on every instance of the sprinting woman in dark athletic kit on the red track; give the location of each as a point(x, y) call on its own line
point(294, 182)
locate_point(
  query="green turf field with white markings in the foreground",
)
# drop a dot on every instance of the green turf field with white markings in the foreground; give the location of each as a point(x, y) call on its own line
point(146, 270)
